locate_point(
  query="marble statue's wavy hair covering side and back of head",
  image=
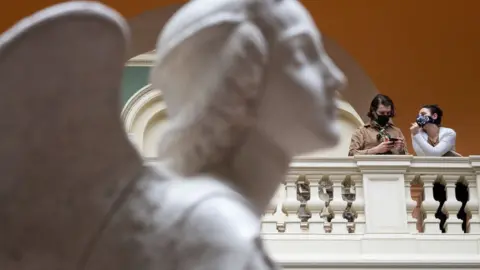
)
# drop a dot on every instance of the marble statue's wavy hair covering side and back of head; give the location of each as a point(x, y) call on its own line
point(211, 83)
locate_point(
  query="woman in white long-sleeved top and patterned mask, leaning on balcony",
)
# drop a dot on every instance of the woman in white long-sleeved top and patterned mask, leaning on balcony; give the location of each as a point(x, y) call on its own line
point(429, 138)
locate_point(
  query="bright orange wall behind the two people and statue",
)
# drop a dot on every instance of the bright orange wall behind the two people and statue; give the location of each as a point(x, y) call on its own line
point(415, 51)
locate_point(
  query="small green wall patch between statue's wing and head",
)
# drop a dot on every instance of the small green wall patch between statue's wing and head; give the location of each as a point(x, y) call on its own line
point(134, 79)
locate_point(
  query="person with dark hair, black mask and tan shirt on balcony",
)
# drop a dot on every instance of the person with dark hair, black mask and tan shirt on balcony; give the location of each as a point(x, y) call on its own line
point(379, 136)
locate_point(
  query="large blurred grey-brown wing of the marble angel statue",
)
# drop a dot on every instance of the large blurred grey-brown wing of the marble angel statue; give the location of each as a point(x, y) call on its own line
point(64, 156)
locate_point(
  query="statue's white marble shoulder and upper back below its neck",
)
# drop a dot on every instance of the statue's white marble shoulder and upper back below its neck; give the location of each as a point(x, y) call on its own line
point(166, 216)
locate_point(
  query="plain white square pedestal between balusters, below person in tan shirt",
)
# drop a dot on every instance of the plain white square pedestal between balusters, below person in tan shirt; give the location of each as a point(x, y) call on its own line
point(384, 193)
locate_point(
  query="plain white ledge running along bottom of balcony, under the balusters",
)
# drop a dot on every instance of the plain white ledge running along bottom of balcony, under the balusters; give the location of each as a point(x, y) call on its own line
point(304, 251)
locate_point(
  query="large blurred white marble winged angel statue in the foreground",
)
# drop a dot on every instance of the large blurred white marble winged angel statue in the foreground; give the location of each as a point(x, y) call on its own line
point(248, 86)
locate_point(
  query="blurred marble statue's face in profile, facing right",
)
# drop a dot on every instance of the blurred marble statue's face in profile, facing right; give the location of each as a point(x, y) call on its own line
point(299, 108)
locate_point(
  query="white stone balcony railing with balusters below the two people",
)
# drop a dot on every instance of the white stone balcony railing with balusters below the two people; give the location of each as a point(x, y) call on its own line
point(377, 211)
